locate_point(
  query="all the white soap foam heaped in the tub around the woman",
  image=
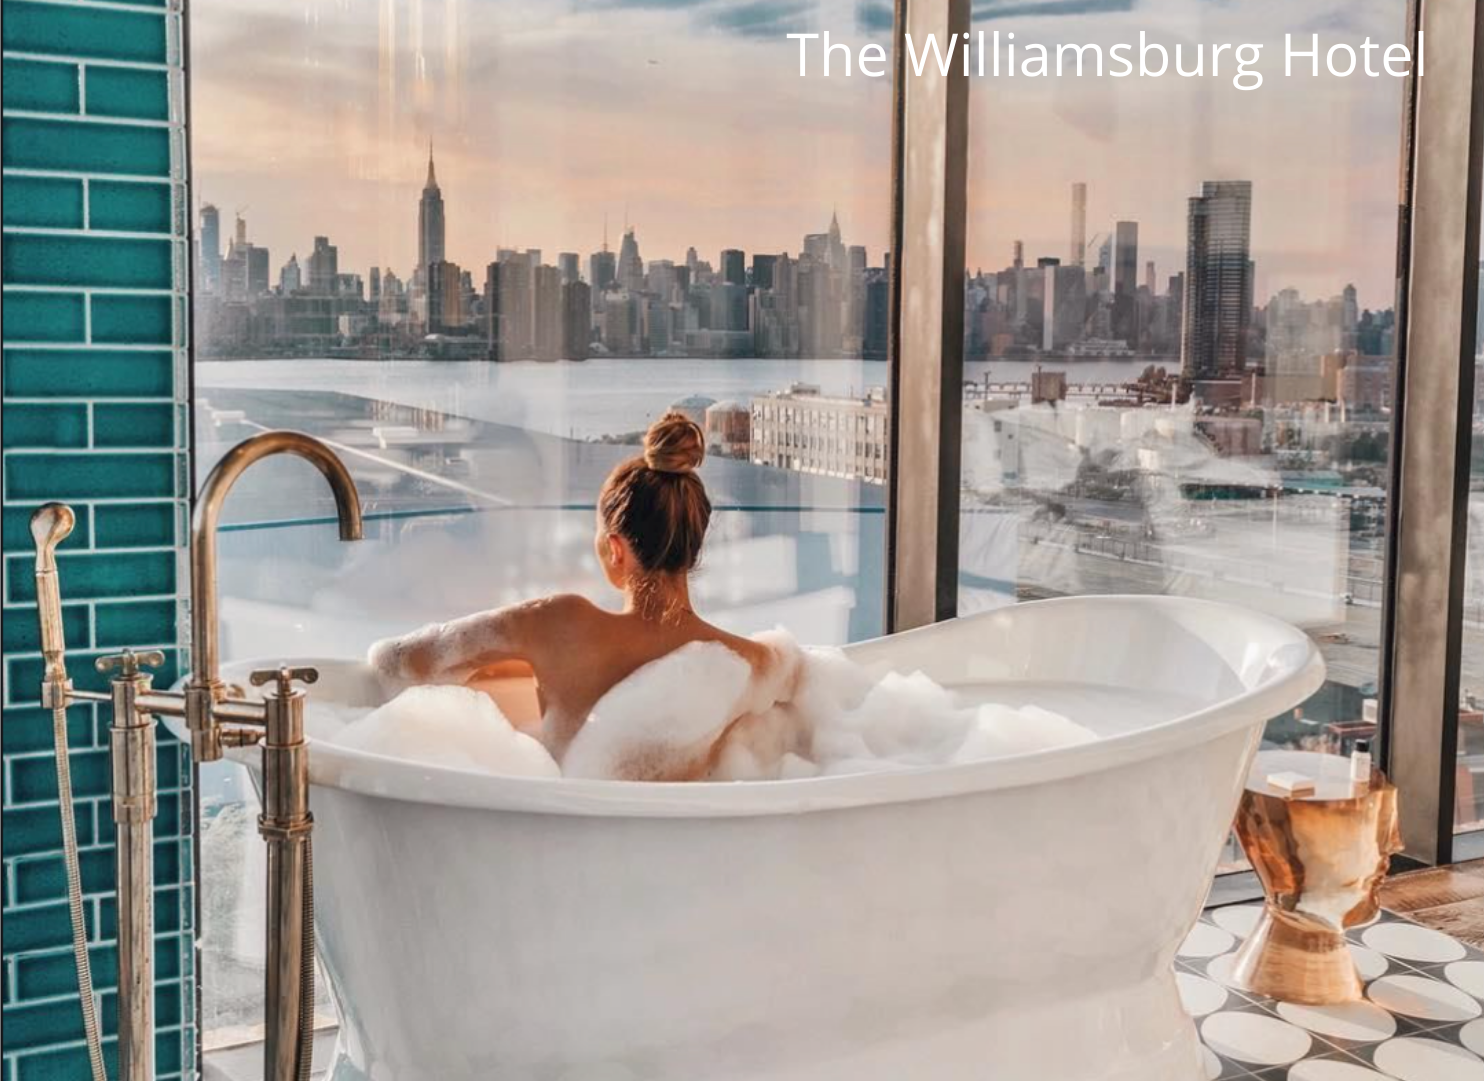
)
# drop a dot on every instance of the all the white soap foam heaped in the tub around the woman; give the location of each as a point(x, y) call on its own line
point(704, 712)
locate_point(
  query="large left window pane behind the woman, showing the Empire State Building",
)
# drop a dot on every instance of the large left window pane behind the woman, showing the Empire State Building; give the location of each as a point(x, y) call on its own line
point(482, 246)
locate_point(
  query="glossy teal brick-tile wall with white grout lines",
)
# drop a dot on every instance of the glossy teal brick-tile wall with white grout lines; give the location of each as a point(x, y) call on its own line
point(94, 271)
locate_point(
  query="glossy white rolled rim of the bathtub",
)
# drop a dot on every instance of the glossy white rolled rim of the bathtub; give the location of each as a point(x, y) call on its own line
point(401, 780)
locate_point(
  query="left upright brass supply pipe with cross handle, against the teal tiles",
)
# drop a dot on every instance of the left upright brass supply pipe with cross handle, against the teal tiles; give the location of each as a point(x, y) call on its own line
point(131, 743)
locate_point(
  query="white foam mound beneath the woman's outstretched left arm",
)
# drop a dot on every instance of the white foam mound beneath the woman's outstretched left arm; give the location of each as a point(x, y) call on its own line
point(447, 727)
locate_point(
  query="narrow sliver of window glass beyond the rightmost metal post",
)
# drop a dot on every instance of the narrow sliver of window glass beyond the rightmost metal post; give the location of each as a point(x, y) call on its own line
point(1470, 788)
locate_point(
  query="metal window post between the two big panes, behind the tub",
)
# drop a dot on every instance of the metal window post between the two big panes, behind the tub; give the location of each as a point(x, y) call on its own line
point(930, 189)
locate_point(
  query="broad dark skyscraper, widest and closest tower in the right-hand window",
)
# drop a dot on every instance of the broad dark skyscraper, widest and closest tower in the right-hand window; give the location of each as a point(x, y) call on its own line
point(1219, 286)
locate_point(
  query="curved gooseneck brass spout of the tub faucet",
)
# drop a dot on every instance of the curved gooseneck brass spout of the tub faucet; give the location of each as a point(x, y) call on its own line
point(204, 688)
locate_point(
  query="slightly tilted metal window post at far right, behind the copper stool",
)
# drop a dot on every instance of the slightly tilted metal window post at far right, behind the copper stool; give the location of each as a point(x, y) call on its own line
point(1431, 449)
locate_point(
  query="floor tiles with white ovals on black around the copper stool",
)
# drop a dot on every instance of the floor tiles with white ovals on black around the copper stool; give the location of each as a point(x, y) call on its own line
point(1422, 1018)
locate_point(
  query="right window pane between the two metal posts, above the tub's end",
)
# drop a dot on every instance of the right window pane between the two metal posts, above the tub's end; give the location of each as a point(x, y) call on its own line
point(1179, 329)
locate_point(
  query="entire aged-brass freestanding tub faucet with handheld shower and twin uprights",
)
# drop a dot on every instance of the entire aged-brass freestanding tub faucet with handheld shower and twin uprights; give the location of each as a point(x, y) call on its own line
point(277, 724)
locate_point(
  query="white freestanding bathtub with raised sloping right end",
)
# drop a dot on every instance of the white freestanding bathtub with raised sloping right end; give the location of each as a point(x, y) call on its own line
point(1011, 920)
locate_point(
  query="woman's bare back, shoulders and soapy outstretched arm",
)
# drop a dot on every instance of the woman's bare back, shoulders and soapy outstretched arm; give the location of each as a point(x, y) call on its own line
point(577, 651)
